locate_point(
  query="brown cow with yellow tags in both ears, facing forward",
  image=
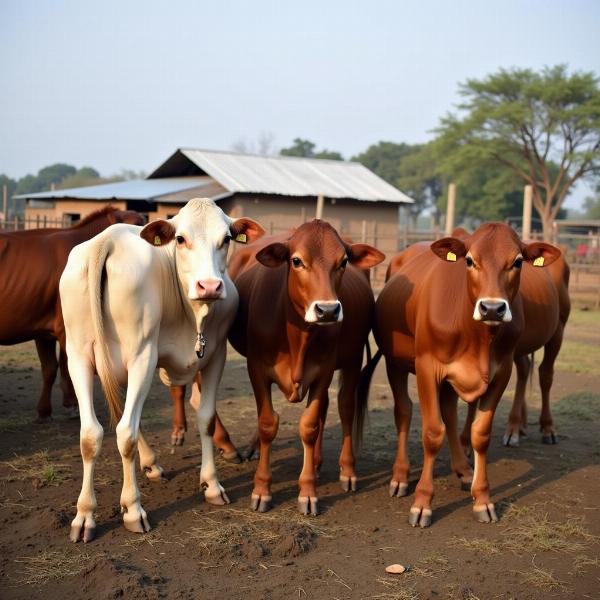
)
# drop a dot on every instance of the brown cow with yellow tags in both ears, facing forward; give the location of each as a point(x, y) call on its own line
point(455, 322)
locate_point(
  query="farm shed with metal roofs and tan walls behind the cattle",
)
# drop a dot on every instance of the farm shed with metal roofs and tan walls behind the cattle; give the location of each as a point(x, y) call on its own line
point(279, 191)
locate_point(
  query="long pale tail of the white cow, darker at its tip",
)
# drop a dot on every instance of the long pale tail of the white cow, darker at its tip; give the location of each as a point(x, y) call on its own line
point(101, 248)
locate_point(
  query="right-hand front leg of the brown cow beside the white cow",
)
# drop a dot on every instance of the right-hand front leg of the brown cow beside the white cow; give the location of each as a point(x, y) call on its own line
point(309, 432)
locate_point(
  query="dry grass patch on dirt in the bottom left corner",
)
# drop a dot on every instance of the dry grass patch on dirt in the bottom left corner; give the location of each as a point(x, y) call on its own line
point(52, 565)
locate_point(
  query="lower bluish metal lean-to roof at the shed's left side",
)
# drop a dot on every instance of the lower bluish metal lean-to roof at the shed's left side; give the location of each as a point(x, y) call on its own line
point(135, 189)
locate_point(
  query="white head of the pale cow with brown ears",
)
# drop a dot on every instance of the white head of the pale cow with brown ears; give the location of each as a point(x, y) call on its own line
point(201, 232)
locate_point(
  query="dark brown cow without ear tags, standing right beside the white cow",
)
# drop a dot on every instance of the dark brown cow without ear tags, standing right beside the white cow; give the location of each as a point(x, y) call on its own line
point(305, 310)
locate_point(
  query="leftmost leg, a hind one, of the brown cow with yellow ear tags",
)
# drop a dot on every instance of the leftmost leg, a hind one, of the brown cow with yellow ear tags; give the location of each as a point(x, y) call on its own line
point(398, 378)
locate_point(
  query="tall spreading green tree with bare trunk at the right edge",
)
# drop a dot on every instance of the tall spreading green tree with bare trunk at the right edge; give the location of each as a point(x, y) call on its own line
point(527, 122)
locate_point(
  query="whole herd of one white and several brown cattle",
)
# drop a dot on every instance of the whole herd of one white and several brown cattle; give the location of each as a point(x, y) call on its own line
point(122, 299)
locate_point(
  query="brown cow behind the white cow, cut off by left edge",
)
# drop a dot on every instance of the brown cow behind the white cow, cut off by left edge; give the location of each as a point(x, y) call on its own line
point(31, 263)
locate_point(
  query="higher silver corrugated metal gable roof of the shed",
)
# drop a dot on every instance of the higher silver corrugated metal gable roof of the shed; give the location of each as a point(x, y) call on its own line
point(292, 176)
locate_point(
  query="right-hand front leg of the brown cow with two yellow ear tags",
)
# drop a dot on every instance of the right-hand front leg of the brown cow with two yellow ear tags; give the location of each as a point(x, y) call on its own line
point(483, 509)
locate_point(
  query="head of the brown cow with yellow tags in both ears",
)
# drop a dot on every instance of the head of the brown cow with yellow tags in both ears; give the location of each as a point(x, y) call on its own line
point(493, 257)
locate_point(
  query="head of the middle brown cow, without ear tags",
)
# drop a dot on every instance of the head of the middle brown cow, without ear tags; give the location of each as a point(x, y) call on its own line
point(317, 257)
